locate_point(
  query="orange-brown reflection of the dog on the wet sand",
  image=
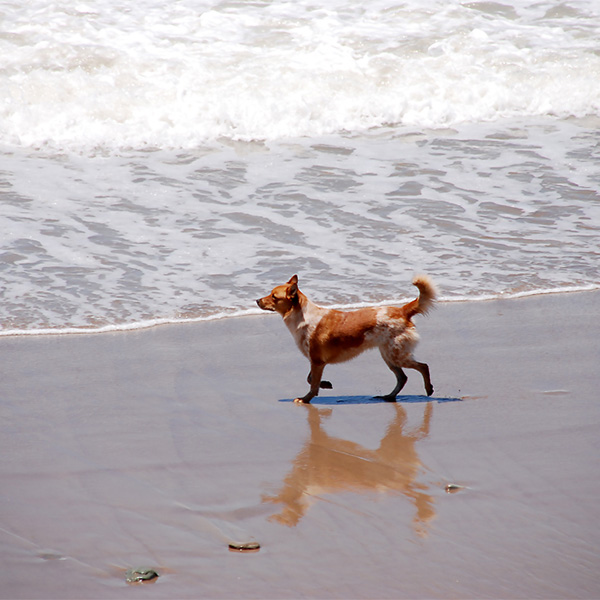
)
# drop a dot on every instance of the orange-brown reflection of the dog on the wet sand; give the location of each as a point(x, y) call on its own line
point(327, 465)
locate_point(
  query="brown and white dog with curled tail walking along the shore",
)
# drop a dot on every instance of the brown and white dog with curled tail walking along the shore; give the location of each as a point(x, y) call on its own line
point(326, 335)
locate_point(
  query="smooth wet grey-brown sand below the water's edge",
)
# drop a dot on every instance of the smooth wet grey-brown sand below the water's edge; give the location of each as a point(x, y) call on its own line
point(159, 447)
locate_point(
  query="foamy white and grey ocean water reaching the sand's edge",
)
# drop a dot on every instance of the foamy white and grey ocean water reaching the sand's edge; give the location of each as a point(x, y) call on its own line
point(174, 161)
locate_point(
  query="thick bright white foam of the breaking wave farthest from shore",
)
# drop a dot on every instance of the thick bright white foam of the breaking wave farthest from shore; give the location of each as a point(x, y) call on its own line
point(174, 75)
